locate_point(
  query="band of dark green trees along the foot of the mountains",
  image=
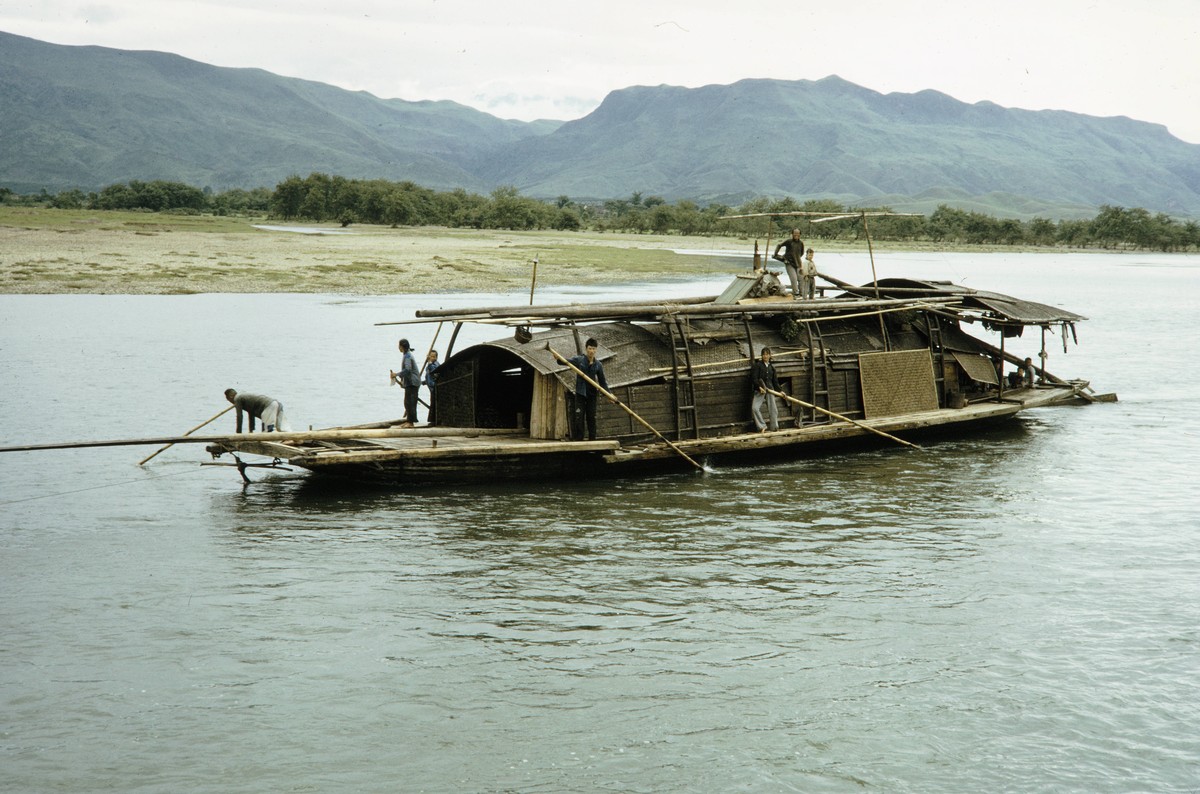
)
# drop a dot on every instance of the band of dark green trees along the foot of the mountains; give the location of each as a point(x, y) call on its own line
point(323, 198)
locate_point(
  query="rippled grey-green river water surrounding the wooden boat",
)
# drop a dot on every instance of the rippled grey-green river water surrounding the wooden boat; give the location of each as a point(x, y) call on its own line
point(1017, 611)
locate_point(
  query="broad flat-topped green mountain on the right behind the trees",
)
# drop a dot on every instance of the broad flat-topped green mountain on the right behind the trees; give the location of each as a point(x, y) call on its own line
point(835, 140)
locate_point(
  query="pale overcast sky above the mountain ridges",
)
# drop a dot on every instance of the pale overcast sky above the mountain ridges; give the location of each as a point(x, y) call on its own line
point(559, 59)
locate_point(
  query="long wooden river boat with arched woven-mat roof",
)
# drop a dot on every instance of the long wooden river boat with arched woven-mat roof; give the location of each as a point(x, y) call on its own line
point(885, 363)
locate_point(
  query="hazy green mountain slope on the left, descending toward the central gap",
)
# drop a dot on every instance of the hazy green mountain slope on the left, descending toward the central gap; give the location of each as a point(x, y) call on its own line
point(91, 117)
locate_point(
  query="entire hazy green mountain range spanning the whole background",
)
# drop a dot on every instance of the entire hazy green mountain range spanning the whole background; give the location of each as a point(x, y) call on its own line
point(89, 117)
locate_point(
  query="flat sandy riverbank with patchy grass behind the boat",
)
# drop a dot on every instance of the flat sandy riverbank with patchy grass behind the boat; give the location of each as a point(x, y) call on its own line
point(112, 252)
